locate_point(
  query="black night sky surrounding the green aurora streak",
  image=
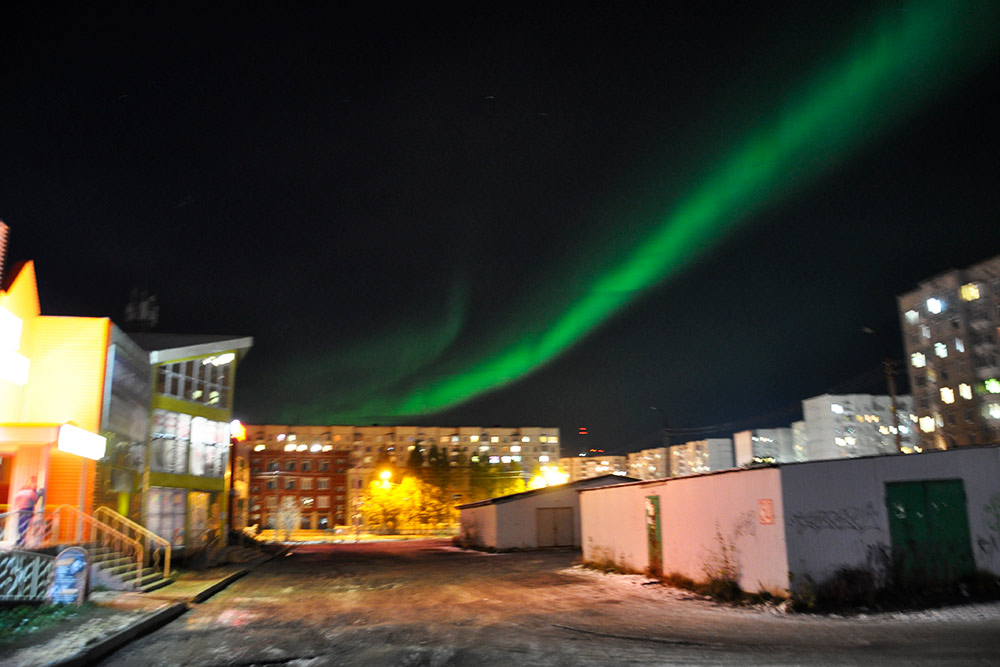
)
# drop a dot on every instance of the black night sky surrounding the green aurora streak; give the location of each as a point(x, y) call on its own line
point(387, 200)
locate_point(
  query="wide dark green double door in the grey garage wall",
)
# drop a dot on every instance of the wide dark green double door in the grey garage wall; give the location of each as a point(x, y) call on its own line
point(929, 527)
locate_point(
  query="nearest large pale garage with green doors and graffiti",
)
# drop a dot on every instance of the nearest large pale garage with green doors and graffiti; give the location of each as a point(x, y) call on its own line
point(937, 514)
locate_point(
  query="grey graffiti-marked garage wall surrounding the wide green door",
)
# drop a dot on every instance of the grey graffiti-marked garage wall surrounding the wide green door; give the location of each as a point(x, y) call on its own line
point(837, 510)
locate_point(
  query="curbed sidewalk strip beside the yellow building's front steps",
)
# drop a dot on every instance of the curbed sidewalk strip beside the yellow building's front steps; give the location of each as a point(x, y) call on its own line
point(121, 616)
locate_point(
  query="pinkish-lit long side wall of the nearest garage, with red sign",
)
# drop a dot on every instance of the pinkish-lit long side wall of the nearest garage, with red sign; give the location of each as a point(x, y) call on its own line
point(700, 517)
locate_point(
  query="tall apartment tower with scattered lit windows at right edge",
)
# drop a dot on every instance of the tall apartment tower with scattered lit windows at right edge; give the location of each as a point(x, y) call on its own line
point(950, 333)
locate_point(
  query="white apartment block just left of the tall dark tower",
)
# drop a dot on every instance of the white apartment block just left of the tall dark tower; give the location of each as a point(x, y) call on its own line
point(854, 425)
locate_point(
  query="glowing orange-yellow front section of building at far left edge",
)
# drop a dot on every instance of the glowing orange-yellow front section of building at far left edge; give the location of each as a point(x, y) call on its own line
point(52, 375)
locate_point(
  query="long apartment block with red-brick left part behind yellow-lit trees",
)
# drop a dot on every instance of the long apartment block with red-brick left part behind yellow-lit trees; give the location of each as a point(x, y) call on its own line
point(342, 460)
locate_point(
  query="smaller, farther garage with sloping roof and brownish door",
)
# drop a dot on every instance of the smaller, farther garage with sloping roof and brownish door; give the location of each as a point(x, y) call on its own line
point(541, 518)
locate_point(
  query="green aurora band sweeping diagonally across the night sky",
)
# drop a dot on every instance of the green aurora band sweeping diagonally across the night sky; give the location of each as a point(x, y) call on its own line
point(906, 57)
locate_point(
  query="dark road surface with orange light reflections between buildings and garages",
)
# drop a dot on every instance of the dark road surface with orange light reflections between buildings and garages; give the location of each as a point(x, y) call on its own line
point(425, 603)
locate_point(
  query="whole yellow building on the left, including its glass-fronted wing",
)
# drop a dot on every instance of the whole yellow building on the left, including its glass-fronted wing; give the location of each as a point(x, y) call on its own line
point(94, 417)
